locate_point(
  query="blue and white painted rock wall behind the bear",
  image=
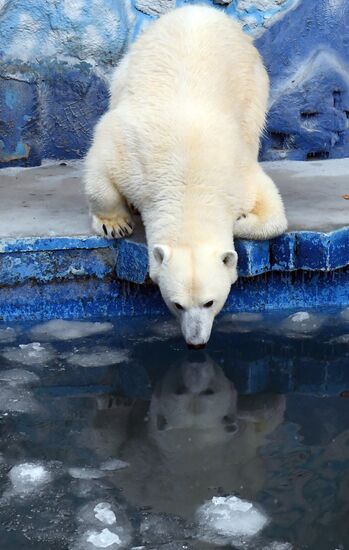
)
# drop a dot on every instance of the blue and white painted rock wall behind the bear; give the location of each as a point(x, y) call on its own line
point(56, 58)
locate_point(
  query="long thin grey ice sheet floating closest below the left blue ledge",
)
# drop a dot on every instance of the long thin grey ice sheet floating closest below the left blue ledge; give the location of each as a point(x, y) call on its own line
point(58, 329)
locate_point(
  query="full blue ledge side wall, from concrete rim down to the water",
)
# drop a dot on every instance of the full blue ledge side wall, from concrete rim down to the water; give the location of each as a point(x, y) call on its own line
point(86, 277)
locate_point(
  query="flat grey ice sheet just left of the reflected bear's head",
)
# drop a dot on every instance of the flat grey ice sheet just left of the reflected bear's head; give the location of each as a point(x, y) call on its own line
point(99, 357)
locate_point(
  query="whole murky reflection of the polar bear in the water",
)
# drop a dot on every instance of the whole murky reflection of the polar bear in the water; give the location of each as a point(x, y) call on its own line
point(194, 440)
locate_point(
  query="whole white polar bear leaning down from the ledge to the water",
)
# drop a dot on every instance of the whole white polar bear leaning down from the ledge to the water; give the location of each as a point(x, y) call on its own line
point(180, 142)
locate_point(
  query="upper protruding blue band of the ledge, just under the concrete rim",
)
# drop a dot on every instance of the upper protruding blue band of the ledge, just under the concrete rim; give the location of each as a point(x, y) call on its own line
point(44, 257)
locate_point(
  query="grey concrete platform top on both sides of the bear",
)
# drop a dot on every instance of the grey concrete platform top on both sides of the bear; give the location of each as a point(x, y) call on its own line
point(48, 200)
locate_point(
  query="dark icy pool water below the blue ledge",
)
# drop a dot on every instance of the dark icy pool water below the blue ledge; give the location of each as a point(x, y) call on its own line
point(117, 439)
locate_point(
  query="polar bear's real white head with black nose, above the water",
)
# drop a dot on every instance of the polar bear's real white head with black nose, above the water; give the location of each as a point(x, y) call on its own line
point(195, 283)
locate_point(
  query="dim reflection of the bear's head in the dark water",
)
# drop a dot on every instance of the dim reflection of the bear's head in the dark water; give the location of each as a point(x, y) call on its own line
point(196, 396)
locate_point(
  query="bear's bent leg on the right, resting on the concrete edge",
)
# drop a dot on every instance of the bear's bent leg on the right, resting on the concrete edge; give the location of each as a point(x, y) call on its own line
point(267, 219)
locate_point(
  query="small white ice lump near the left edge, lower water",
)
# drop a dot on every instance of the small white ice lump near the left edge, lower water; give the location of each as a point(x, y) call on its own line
point(28, 477)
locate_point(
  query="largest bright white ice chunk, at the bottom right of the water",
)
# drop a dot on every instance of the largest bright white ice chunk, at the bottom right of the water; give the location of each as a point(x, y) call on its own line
point(229, 520)
